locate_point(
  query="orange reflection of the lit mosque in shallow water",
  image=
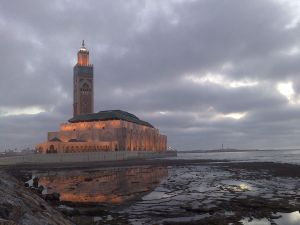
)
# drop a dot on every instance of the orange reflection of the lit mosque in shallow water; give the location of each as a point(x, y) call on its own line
point(117, 185)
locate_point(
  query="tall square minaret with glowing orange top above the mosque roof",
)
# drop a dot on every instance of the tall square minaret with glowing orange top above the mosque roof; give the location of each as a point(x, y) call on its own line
point(83, 83)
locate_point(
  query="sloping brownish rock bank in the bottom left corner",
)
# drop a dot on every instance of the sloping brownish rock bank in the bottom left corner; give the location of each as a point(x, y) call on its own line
point(21, 206)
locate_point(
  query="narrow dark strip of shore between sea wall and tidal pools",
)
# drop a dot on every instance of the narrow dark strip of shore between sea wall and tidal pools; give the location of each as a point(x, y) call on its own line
point(276, 168)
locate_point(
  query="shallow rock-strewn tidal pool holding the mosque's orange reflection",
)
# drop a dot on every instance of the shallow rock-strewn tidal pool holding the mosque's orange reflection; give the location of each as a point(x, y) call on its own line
point(201, 194)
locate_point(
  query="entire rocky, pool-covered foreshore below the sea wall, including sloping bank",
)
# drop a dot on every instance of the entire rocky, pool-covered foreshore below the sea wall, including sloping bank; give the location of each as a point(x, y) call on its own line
point(182, 192)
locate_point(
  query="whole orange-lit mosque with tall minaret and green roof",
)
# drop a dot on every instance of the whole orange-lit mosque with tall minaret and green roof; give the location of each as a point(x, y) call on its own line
point(110, 130)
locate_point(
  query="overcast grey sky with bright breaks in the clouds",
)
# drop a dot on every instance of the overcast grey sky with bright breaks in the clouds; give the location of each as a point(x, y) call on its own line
point(205, 72)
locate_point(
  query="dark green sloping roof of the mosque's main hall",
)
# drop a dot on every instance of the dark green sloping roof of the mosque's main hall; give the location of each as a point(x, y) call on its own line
point(109, 115)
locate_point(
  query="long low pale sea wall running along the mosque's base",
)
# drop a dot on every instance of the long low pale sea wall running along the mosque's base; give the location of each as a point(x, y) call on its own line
point(82, 157)
